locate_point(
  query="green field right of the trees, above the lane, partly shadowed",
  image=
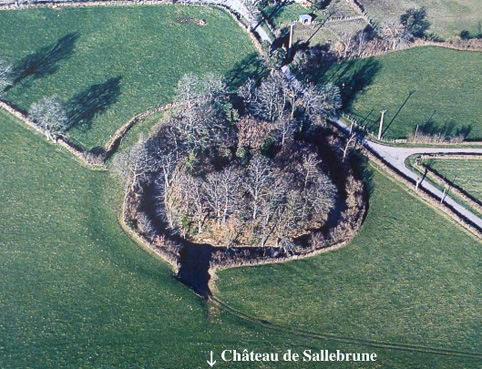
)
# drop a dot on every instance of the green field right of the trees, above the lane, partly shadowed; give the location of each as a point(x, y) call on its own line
point(435, 88)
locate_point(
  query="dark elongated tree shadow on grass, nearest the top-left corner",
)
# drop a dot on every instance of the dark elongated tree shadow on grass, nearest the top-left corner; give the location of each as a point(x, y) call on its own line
point(44, 61)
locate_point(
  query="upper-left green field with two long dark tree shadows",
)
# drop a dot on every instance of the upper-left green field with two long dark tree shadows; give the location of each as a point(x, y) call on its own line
point(110, 63)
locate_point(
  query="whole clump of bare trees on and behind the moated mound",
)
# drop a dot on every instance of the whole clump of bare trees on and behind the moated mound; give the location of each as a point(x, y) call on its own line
point(215, 177)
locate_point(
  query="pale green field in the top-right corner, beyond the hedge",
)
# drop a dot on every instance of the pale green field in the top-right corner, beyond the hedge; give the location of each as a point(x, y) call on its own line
point(448, 17)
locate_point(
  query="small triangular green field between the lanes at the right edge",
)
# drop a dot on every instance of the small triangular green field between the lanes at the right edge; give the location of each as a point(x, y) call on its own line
point(465, 173)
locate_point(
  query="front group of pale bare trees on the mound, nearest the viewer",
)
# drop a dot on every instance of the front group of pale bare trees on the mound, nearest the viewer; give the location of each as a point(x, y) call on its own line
point(263, 203)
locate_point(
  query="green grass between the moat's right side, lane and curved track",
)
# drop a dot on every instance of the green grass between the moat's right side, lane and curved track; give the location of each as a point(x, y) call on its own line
point(409, 276)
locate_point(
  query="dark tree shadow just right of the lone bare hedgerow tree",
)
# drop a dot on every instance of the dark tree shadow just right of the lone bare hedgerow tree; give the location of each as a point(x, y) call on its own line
point(84, 106)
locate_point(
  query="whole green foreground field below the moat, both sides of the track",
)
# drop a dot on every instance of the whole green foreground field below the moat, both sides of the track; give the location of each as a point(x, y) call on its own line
point(76, 292)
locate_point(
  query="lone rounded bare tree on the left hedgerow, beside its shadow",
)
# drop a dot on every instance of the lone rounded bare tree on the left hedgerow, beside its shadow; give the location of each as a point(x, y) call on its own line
point(50, 116)
